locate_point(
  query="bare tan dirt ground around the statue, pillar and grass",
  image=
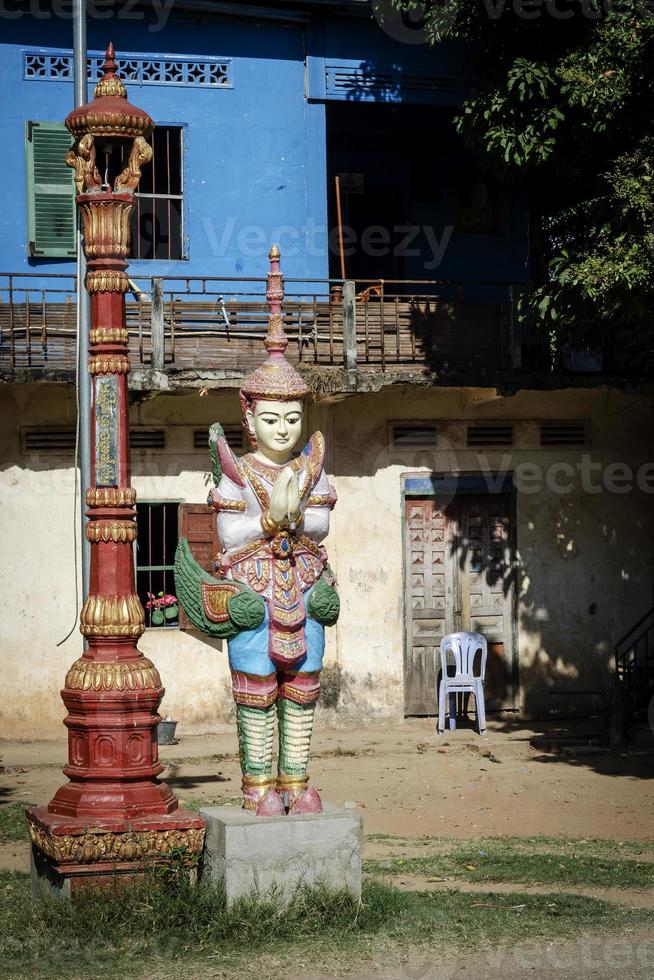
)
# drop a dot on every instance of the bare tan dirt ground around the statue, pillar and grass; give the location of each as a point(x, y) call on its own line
point(517, 780)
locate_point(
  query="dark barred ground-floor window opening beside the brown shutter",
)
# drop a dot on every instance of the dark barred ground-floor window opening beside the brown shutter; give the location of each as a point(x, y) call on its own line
point(155, 553)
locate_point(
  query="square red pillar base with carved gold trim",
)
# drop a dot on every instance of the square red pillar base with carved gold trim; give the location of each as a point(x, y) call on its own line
point(69, 853)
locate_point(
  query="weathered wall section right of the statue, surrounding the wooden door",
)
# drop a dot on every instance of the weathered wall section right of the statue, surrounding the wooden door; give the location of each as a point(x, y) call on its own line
point(584, 556)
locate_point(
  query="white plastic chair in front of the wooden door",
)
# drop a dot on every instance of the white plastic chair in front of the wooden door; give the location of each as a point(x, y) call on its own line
point(464, 648)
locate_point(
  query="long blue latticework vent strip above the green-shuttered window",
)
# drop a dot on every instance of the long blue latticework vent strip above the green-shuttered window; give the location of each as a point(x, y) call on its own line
point(57, 66)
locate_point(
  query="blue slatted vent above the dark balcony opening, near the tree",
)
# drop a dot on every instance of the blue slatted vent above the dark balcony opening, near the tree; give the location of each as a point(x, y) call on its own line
point(388, 85)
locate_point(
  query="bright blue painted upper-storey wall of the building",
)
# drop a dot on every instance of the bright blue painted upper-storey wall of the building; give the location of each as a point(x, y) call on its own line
point(255, 166)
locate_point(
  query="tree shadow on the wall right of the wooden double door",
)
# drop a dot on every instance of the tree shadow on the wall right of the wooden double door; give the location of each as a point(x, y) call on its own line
point(577, 577)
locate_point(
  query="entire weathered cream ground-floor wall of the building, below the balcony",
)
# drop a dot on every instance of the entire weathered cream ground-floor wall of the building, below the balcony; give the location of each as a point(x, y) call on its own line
point(584, 557)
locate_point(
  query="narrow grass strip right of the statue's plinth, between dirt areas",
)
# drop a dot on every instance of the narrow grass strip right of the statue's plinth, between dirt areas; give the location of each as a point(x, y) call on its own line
point(541, 861)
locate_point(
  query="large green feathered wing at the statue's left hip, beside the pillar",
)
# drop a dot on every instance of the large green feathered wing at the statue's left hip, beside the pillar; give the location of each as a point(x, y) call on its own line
point(246, 610)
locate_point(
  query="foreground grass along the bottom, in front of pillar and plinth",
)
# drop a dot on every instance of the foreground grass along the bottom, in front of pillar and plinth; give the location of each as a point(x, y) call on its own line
point(165, 927)
